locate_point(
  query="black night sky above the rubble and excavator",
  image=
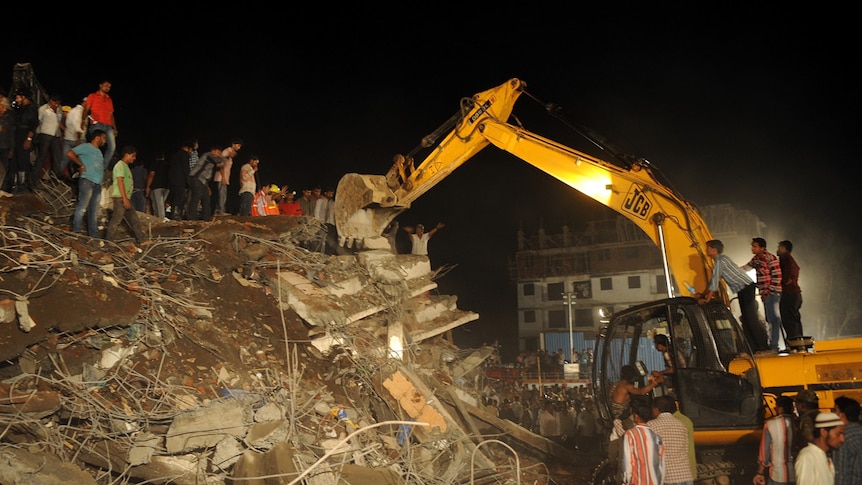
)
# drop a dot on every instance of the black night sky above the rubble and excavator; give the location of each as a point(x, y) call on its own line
point(735, 107)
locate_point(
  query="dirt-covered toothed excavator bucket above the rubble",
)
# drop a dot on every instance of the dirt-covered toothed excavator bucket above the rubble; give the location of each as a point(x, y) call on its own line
point(364, 207)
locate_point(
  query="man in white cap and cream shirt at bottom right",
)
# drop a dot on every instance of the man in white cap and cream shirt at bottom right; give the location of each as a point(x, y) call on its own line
point(813, 466)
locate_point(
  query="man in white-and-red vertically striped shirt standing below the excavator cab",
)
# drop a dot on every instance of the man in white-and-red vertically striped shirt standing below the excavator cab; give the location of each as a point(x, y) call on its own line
point(642, 460)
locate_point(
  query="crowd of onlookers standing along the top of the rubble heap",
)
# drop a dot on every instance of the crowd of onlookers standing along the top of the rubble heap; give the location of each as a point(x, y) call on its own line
point(78, 145)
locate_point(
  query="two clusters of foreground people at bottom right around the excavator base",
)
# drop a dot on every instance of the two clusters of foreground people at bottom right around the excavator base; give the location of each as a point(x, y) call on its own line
point(653, 442)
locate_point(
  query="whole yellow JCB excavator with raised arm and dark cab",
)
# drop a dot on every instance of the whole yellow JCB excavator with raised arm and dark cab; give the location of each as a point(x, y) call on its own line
point(720, 384)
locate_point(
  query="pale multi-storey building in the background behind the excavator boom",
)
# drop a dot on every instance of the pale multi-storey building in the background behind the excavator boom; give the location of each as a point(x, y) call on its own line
point(611, 264)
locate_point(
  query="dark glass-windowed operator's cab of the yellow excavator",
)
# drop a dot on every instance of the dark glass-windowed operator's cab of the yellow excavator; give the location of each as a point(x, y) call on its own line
point(711, 371)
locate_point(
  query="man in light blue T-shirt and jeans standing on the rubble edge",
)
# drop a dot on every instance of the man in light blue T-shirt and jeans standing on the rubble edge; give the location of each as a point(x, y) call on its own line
point(89, 160)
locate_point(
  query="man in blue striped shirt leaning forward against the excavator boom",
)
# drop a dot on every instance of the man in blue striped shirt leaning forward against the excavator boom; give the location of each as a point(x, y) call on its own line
point(740, 283)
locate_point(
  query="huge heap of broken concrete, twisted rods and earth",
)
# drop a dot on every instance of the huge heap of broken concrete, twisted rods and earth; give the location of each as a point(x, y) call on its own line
point(235, 351)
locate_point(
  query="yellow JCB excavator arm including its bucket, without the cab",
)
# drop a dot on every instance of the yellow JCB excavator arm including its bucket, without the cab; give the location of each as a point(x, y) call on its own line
point(366, 204)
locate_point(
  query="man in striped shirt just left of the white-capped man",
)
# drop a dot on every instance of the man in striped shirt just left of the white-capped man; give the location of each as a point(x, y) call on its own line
point(775, 460)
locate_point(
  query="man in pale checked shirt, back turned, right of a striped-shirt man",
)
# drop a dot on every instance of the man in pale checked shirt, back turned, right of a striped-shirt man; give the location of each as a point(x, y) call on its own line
point(674, 436)
